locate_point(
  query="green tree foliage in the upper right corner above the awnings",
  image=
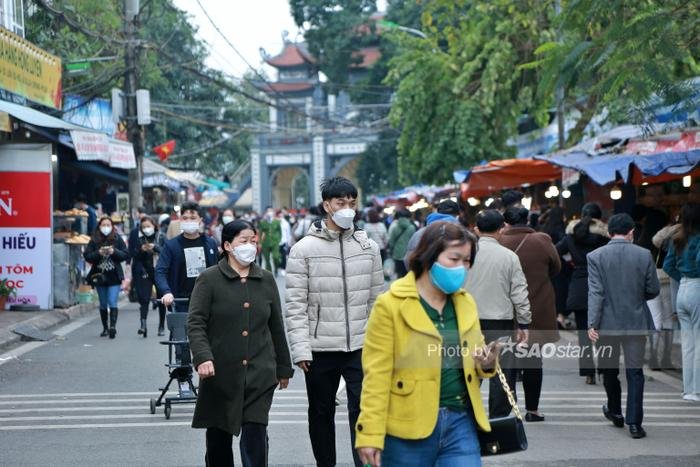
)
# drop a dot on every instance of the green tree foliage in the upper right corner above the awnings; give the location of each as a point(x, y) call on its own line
point(621, 59)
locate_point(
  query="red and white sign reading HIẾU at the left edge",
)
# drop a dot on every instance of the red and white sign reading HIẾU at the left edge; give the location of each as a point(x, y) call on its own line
point(25, 235)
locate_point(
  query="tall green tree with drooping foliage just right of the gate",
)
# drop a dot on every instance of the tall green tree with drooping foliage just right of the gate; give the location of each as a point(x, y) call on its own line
point(460, 92)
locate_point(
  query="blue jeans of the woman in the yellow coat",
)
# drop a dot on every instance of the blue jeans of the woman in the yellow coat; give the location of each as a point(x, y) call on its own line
point(453, 443)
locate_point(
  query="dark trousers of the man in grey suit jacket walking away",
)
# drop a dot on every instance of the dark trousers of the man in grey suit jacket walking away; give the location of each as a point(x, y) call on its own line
point(609, 365)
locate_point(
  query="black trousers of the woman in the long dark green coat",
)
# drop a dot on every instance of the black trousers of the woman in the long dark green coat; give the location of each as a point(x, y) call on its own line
point(253, 444)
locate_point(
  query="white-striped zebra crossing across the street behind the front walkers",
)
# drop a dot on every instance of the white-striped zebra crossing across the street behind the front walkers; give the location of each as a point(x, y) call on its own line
point(58, 411)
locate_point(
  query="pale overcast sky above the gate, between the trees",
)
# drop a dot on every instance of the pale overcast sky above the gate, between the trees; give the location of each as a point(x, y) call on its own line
point(247, 24)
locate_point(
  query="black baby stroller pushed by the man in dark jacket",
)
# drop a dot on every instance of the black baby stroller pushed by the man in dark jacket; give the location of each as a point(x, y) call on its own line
point(179, 364)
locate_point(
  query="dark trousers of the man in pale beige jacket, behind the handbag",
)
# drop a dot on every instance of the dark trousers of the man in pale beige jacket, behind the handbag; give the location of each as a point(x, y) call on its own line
point(498, 400)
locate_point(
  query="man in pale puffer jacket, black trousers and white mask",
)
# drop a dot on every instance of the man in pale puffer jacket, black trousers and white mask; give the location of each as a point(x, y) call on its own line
point(334, 275)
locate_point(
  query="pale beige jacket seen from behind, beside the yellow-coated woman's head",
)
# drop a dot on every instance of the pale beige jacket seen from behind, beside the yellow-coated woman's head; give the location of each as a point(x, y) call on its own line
point(497, 283)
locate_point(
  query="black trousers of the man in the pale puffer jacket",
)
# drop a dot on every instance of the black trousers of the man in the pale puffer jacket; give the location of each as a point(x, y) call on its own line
point(322, 382)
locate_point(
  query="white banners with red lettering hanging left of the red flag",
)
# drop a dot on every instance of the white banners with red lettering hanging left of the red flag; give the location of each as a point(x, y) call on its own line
point(98, 147)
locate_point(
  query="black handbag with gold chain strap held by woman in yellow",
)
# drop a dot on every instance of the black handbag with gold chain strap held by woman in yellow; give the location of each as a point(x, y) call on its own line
point(507, 433)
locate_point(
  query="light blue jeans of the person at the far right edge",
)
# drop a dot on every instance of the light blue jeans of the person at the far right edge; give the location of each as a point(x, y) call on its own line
point(688, 309)
